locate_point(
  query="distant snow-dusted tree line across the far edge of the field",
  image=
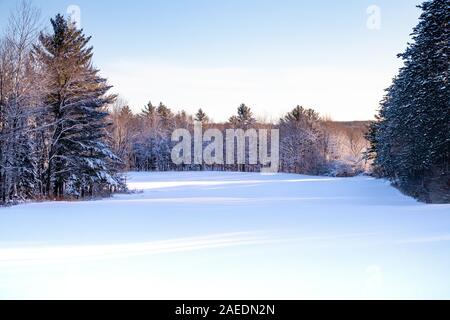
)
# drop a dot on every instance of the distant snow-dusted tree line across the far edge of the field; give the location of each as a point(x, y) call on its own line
point(309, 144)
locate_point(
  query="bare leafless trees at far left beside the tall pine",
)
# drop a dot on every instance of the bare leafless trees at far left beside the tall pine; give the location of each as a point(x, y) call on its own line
point(19, 99)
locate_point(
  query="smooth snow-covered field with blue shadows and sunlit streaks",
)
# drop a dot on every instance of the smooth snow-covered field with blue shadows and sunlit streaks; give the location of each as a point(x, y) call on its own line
point(229, 235)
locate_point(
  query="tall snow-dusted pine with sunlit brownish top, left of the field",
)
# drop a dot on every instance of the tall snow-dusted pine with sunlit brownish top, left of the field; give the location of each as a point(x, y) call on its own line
point(79, 162)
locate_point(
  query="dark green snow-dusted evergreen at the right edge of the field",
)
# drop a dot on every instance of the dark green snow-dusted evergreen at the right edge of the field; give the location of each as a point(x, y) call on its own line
point(411, 140)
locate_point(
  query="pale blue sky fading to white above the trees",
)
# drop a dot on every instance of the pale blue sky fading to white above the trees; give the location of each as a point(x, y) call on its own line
point(272, 55)
